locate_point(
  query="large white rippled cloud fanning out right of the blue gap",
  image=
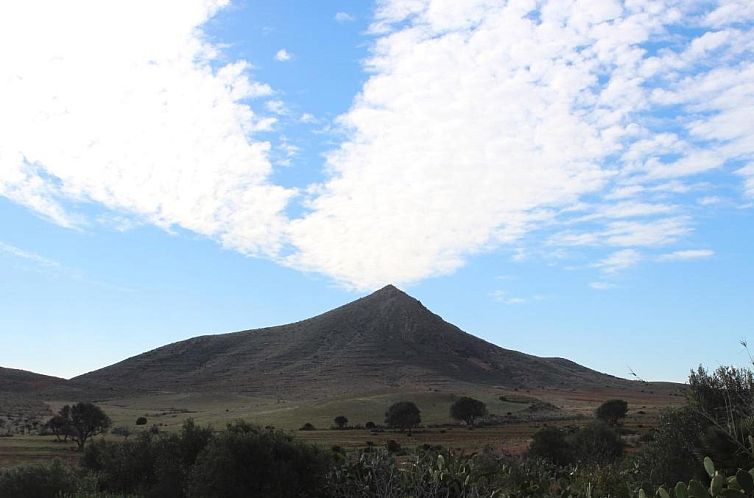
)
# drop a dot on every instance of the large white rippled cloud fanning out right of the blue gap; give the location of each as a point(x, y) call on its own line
point(480, 118)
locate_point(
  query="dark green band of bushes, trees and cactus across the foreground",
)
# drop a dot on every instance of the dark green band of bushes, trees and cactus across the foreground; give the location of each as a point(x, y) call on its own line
point(245, 460)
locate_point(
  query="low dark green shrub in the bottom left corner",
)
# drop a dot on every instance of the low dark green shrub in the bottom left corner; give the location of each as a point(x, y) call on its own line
point(37, 481)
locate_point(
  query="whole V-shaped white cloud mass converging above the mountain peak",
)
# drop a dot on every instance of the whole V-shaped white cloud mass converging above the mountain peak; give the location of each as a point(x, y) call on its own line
point(481, 123)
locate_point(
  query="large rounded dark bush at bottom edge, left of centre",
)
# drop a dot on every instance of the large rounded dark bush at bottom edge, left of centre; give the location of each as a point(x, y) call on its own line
point(246, 461)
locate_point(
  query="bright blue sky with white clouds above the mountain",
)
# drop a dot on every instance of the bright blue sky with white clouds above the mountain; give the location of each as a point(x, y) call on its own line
point(567, 179)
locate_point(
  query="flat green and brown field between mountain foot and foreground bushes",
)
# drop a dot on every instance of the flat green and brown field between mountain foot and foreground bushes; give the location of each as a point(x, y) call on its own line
point(168, 411)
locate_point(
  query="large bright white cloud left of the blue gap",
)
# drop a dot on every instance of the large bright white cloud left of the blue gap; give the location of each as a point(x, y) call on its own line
point(119, 104)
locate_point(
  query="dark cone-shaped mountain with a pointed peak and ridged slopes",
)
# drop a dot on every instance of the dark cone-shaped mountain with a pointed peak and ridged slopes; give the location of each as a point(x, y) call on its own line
point(383, 342)
